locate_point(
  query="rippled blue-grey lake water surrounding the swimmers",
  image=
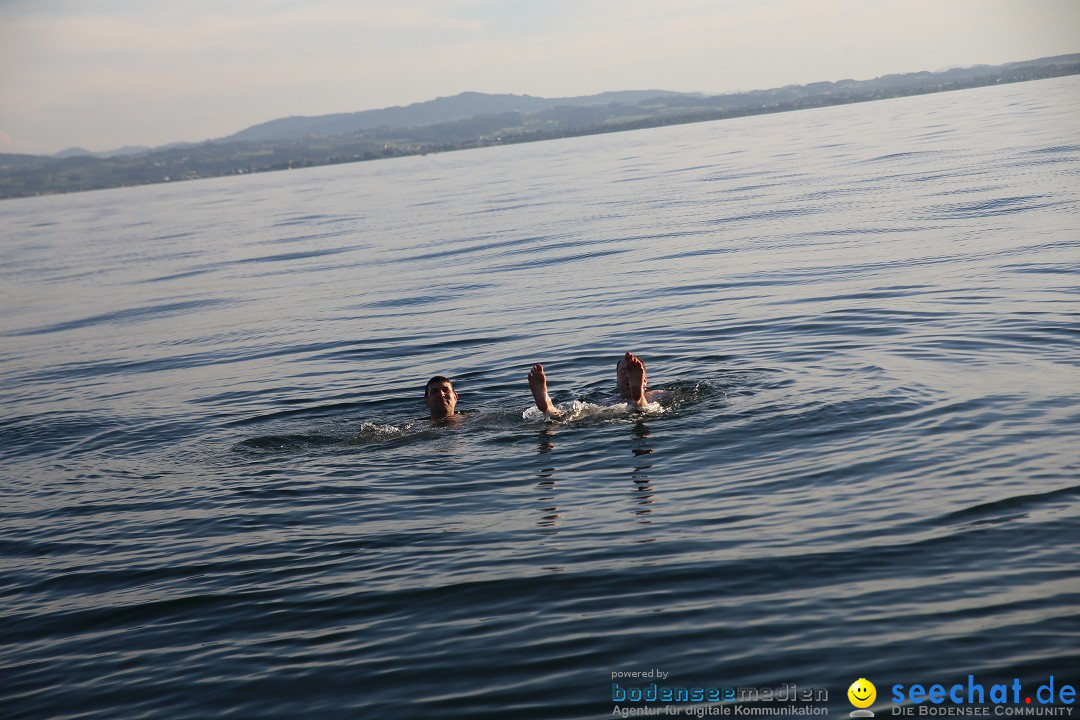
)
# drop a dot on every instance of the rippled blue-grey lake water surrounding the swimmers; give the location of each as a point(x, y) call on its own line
point(222, 499)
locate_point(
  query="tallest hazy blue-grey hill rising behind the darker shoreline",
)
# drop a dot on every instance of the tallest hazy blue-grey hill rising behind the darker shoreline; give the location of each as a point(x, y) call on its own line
point(464, 106)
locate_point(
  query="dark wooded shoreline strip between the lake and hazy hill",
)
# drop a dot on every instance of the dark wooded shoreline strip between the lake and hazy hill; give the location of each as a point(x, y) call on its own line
point(25, 176)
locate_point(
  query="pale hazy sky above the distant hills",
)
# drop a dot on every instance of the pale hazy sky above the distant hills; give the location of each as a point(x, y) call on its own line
point(106, 74)
